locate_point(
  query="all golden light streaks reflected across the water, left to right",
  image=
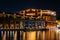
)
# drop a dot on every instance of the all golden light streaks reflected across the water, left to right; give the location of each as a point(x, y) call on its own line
point(34, 35)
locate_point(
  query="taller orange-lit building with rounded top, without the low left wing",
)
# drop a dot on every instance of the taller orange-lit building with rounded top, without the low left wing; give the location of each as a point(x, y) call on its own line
point(38, 18)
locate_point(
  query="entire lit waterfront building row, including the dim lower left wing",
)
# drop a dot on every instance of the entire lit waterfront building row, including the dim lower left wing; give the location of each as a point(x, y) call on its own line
point(28, 18)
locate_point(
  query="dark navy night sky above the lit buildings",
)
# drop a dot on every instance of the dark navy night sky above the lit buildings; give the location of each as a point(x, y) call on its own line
point(17, 5)
